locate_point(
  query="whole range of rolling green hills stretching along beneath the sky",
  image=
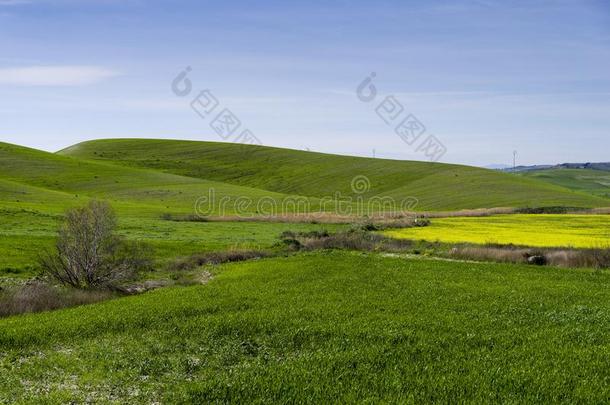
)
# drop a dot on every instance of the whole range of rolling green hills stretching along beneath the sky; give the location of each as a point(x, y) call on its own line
point(151, 177)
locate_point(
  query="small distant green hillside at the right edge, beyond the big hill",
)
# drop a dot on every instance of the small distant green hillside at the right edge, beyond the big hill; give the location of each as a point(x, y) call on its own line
point(596, 182)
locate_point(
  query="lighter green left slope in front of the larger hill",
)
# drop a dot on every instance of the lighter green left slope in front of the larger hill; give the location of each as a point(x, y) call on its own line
point(32, 176)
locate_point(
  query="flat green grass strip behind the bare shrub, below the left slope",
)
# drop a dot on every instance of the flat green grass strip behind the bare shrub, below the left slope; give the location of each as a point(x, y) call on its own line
point(26, 233)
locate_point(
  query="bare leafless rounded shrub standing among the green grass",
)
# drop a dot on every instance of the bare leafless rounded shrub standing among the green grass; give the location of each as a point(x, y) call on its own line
point(88, 252)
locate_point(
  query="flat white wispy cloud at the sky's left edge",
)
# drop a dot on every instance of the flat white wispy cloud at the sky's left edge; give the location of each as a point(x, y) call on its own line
point(55, 75)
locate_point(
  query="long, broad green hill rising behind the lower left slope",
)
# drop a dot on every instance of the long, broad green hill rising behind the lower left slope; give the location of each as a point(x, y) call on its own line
point(436, 186)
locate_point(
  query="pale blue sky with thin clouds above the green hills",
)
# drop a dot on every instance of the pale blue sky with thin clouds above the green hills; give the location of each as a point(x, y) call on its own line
point(485, 77)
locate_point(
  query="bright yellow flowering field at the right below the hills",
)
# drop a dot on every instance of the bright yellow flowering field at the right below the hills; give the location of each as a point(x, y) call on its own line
point(578, 231)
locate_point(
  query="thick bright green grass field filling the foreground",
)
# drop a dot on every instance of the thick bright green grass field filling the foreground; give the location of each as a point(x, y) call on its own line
point(326, 327)
